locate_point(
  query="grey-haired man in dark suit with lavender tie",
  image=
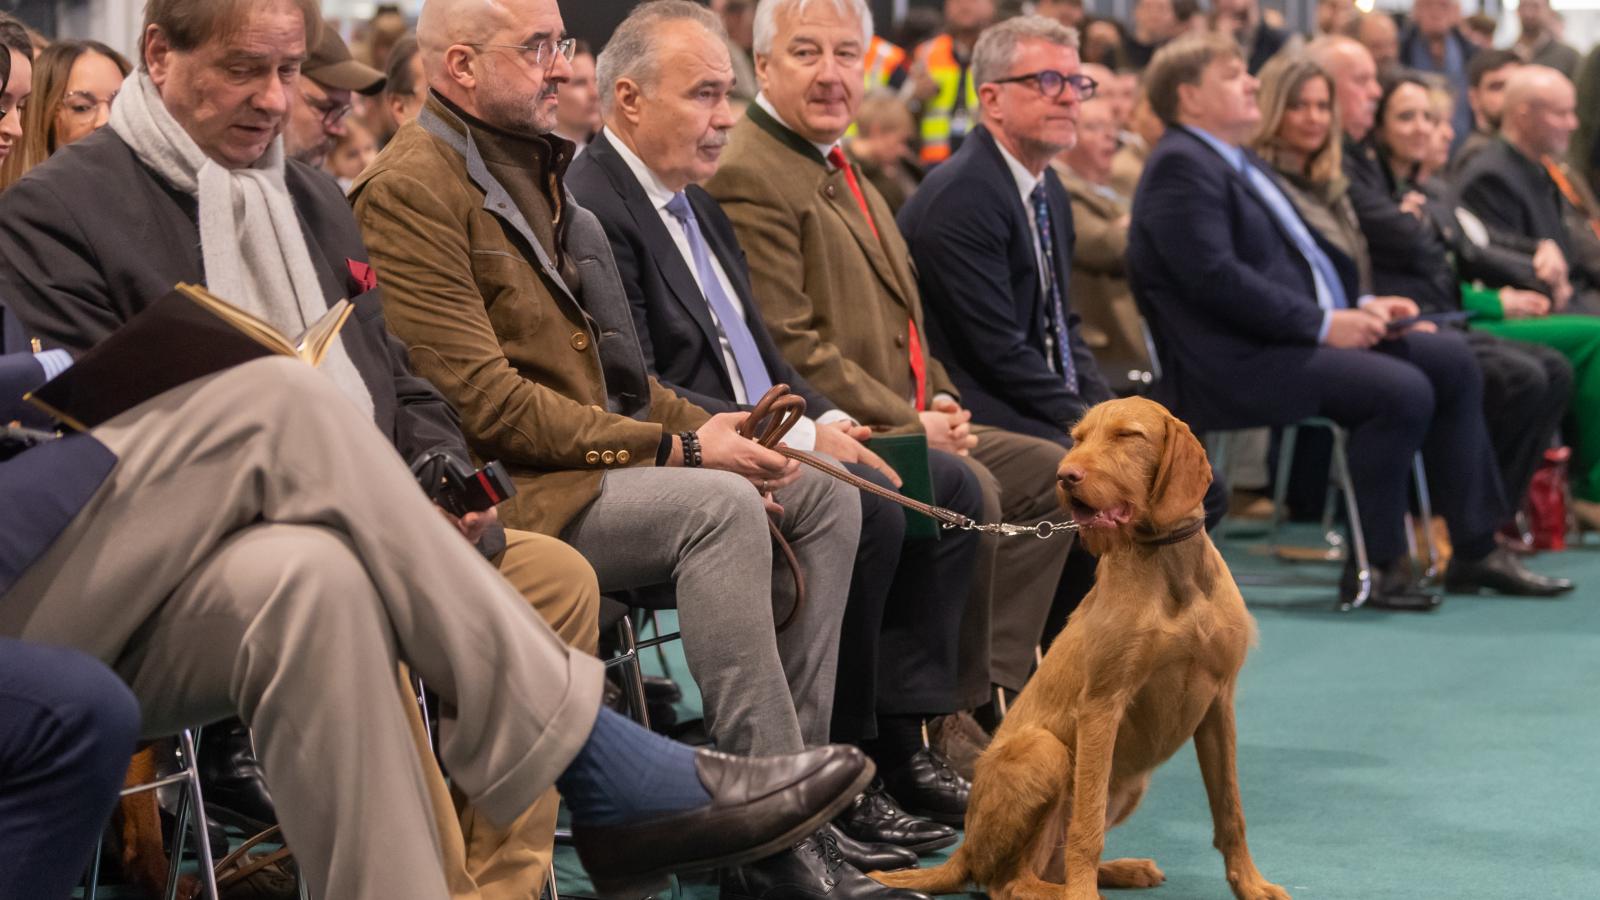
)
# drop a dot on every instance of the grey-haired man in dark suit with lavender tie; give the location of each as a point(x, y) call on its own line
point(666, 118)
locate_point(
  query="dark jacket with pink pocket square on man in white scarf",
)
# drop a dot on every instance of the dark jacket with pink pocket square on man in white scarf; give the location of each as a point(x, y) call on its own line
point(94, 236)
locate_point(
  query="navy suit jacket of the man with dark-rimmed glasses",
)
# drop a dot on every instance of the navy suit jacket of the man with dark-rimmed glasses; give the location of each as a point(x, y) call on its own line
point(974, 246)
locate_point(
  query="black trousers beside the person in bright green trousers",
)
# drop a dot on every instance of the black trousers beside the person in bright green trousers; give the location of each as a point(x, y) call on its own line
point(1526, 395)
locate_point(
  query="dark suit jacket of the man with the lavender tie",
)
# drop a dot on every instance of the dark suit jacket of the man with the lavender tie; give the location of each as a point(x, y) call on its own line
point(674, 323)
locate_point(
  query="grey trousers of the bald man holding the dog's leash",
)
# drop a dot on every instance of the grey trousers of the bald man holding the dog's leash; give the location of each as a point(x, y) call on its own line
point(706, 532)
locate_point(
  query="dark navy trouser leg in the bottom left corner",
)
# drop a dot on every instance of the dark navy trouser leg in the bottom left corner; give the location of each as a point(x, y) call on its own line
point(68, 728)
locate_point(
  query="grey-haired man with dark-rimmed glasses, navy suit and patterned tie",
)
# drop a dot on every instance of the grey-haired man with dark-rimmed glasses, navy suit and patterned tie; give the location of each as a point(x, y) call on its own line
point(991, 233)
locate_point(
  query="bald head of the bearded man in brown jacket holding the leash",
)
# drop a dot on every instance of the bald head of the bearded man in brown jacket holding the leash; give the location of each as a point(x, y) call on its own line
point(498, 60)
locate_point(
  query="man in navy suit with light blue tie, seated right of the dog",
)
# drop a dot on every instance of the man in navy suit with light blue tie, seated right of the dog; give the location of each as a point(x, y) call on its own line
point(1257, 326)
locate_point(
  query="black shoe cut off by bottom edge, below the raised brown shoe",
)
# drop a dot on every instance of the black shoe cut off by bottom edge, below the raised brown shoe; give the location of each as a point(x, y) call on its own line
point(814, 870)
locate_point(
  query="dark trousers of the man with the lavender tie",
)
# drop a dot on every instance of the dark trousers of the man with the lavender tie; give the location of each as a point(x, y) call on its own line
point(898, 648)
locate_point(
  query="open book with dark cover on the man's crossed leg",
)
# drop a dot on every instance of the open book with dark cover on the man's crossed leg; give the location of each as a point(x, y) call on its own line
point(188, 334)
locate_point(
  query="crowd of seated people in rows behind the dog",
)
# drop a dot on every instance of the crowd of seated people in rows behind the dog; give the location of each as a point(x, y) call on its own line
point(591, 262)
